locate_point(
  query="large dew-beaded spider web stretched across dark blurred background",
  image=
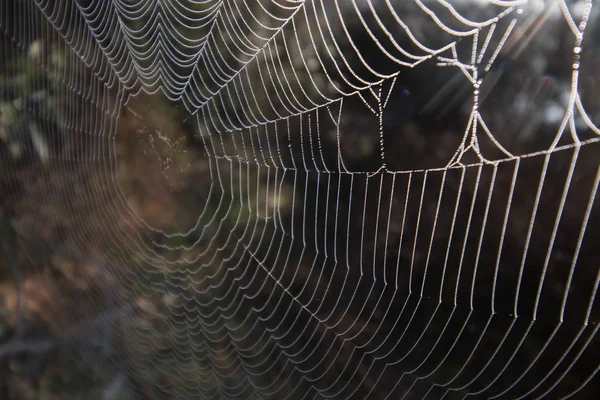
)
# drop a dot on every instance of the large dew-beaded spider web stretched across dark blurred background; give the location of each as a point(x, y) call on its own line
point(338, 248)
